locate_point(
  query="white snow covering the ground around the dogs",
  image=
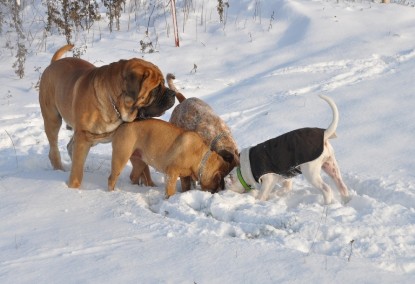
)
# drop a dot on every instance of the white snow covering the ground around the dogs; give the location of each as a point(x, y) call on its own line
point(263, 78)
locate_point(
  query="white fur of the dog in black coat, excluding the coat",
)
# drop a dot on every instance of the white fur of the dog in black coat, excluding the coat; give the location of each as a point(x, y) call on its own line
point(311, 170)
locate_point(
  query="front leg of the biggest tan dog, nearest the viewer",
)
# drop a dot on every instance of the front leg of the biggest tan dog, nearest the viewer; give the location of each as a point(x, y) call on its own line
point(80, 147)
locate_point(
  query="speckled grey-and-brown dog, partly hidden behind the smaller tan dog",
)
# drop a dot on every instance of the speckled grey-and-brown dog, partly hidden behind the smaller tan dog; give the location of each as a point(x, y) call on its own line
point(195, 115)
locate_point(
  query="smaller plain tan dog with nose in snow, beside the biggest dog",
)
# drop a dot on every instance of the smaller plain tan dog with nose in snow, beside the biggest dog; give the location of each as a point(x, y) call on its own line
point(169, 149)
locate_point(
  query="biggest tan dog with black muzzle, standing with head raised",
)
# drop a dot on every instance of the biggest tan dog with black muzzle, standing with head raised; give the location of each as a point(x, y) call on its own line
point(94, 101)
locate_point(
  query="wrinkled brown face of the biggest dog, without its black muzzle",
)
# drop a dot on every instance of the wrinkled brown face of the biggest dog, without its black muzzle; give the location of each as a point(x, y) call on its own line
point(143, 83)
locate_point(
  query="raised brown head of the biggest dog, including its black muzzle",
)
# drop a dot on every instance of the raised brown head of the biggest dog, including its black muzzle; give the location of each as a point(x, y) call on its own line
point(143, 86)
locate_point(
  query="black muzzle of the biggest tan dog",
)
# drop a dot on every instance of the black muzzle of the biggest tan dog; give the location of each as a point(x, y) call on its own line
point(163, 99)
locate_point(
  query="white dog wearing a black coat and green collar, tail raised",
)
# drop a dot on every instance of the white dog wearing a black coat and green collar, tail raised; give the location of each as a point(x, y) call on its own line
point(305, 150)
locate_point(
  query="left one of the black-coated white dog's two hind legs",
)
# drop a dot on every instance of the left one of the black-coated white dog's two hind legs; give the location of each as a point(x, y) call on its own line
point(311, 171)
